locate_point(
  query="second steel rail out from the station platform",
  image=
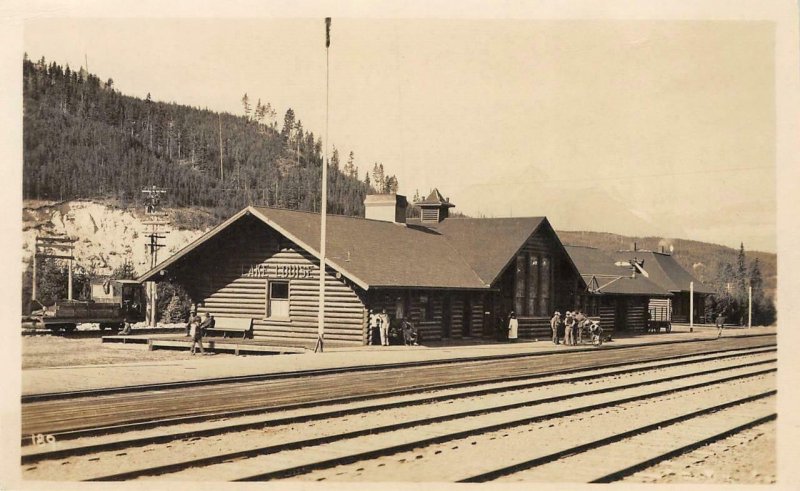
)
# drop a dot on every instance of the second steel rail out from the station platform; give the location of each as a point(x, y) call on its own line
point(528, 380)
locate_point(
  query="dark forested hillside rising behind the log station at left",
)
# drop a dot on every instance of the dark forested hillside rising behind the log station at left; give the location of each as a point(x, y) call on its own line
point(84, 139)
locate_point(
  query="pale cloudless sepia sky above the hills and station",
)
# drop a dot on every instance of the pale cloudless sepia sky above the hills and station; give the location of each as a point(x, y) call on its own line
point(639, 127)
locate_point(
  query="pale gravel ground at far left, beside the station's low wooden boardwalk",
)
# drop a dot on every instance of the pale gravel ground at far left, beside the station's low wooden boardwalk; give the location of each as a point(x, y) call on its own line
point(57, 351)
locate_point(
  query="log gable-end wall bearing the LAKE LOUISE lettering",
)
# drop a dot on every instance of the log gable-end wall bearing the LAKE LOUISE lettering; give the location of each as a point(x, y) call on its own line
point(230, 278)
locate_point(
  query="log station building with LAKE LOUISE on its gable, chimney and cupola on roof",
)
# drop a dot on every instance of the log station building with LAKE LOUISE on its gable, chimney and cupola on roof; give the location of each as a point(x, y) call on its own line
point(451, 277)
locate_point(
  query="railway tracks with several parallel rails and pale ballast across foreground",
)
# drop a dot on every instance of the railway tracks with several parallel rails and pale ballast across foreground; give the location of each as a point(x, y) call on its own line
point(336, 440)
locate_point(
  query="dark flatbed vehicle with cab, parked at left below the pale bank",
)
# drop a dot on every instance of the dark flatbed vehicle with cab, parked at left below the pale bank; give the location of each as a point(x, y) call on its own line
point(113, 303)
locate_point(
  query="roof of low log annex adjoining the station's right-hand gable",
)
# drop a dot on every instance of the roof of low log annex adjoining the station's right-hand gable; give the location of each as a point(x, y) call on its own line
point(597, 268)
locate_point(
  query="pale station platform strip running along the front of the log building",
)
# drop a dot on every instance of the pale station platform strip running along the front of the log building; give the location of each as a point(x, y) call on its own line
point(86, 378)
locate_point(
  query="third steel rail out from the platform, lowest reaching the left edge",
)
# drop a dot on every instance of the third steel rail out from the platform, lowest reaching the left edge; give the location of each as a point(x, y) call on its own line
point(276, 421)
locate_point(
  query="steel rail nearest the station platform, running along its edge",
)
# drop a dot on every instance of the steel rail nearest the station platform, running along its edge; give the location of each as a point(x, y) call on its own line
point(27, 398)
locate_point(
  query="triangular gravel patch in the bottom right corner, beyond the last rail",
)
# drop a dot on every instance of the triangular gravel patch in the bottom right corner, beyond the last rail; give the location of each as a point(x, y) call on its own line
point(747, 457)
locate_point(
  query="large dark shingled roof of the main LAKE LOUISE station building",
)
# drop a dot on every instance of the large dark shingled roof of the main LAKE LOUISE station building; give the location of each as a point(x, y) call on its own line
point(456, 253)
